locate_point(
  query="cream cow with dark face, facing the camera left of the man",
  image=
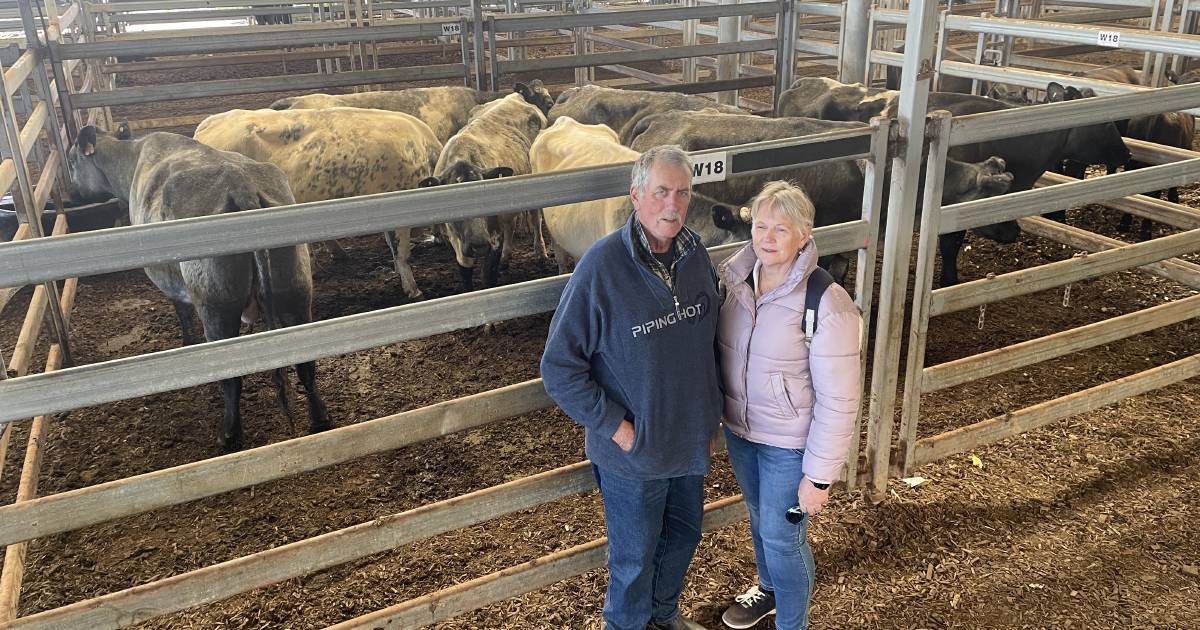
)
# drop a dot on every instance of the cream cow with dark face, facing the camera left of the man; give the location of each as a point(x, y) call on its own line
point(495, 143)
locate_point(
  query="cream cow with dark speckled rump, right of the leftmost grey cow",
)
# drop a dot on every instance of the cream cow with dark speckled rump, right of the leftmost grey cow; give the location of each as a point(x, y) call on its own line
point(333, 154)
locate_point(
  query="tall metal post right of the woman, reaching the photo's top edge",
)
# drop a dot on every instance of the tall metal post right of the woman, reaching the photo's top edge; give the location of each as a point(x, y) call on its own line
point(919, 65)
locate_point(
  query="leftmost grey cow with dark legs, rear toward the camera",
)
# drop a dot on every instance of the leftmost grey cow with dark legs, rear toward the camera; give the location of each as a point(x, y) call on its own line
point(164, 177)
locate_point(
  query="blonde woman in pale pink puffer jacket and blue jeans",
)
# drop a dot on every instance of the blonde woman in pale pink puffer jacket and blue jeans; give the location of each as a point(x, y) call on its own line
point(790, 398)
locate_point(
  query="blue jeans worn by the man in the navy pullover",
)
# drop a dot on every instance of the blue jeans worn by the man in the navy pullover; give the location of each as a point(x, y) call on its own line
point(653, 532)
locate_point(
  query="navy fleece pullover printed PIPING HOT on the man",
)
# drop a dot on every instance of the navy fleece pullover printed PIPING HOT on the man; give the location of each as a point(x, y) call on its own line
point(627, 344)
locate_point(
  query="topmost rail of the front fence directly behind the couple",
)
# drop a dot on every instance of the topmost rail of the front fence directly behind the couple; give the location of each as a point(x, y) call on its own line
point(172, 242)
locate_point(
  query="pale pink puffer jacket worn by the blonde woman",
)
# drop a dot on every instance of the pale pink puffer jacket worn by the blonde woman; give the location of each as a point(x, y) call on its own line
point(779, 391)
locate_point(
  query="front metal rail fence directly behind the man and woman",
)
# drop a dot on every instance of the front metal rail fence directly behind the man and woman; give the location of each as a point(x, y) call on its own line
point(197, 364)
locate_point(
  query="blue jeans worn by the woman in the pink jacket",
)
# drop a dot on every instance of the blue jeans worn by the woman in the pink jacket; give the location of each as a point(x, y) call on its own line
point(770, 478)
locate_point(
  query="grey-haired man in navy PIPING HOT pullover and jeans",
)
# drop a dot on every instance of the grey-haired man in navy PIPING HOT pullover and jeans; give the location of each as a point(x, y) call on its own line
point(631, 357)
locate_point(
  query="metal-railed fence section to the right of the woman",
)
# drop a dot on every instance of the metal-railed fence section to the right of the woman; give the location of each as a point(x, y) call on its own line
point(935, 220)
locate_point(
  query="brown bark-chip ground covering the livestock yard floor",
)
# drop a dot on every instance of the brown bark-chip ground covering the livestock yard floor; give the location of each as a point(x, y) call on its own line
point(1091, 523)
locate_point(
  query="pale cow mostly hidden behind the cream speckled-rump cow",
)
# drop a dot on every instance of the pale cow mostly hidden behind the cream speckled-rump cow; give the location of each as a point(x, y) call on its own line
point(446, 110)
